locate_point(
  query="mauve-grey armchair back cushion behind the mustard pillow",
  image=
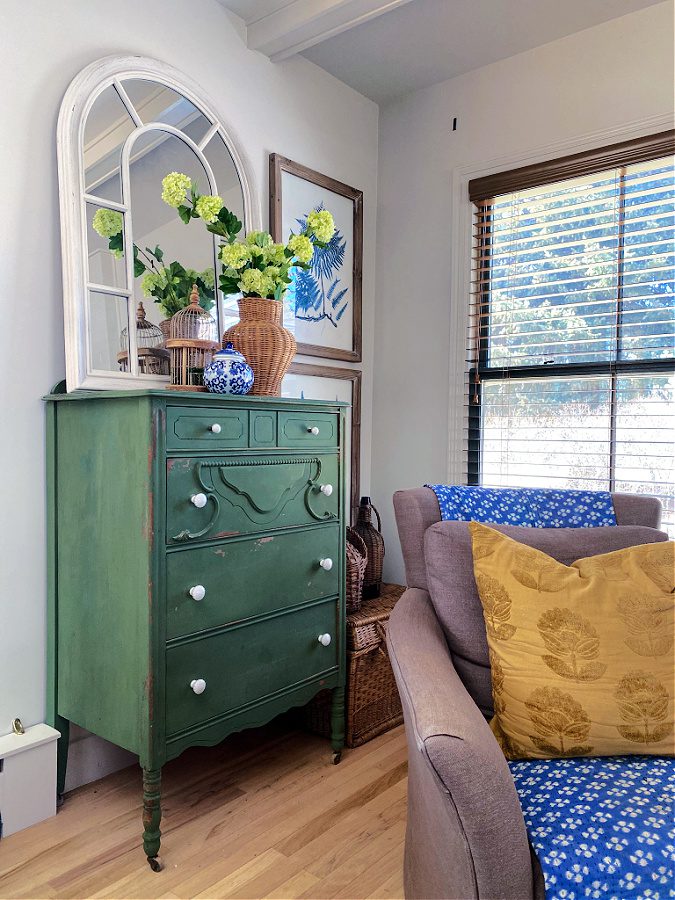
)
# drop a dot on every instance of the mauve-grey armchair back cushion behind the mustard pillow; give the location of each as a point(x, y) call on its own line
point(449, 565)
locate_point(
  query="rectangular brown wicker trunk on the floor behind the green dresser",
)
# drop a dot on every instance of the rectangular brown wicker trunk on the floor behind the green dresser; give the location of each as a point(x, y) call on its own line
point(372, 704)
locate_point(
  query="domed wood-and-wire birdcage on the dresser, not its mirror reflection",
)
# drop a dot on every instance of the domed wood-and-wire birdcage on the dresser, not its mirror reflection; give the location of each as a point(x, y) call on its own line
point(191, 343)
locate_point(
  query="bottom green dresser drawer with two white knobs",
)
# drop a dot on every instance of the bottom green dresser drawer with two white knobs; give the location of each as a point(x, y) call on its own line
point(247, 664)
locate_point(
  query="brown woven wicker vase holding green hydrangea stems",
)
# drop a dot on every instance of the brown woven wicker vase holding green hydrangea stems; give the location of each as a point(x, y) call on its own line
point(266, 345)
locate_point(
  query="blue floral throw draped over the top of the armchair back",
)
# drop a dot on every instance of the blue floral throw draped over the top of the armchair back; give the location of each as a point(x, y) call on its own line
point(536, 507)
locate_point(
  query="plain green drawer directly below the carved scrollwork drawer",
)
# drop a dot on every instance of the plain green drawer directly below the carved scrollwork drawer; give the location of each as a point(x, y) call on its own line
point(242, 579)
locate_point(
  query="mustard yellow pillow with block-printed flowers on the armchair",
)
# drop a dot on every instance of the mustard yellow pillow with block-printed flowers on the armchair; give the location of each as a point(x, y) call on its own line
point(582, 656)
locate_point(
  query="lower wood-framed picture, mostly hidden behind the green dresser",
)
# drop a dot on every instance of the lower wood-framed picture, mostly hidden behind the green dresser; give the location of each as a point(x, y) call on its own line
point(309, 382)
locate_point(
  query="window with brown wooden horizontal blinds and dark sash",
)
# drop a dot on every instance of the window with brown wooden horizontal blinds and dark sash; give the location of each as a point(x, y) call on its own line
point(571, 358)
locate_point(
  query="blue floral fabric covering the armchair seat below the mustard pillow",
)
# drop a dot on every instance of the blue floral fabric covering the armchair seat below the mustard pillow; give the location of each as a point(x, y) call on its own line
point(603, 827)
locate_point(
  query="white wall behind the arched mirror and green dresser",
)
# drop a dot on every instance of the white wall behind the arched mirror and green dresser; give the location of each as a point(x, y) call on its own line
point(293, 108)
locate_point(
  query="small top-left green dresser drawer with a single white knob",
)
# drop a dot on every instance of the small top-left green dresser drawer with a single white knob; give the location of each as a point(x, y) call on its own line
point(206, 428)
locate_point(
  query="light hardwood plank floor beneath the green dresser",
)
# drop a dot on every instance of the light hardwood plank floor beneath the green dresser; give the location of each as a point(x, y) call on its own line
point(264, 814)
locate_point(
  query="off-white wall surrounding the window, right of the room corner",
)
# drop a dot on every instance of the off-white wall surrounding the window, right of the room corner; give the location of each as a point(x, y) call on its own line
point(601, 85)
